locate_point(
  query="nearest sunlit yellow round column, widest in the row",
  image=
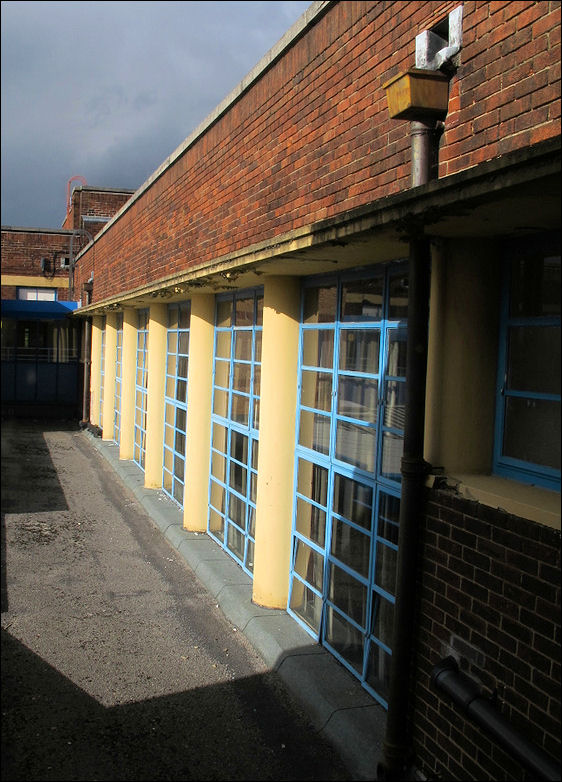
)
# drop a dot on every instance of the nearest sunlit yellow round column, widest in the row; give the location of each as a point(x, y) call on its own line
point(274, 504)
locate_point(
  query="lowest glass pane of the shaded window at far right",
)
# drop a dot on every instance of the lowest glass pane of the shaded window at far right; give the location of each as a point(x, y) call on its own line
point(532, 431)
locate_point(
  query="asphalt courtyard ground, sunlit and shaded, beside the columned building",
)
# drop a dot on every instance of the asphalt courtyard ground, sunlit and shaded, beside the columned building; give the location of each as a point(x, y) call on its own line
point(117, 663)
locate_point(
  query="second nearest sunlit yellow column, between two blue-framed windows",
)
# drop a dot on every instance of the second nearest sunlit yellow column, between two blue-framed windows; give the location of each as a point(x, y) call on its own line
point(199, 399)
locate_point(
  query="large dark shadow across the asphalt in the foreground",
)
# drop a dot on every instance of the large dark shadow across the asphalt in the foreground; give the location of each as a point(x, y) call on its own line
point(237, 730)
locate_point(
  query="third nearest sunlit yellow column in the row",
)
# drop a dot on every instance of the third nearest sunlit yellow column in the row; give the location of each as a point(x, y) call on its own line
point(157, 331)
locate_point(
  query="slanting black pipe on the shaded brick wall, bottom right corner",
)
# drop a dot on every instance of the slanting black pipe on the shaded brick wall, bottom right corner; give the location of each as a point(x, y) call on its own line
point(466, 693)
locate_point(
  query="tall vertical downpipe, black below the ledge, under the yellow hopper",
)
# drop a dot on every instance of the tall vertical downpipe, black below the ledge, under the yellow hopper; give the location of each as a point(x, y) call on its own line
point(397, 743)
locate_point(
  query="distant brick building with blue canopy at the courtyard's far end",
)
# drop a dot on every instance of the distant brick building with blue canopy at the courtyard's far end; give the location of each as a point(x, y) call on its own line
point(41, 369)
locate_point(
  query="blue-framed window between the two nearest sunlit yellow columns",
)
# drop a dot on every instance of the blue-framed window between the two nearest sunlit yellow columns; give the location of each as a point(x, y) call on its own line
point(235, 424)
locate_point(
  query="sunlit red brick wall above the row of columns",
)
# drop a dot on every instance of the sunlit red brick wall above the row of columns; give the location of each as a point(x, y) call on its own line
point(312, 138)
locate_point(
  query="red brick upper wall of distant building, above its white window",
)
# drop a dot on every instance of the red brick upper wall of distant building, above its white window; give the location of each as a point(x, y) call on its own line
point(21, 255)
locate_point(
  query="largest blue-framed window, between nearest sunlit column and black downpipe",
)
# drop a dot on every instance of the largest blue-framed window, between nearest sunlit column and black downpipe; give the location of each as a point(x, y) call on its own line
point(352, 383)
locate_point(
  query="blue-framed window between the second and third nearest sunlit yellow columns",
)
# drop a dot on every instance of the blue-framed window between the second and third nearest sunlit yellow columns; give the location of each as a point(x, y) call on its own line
point(175, 401)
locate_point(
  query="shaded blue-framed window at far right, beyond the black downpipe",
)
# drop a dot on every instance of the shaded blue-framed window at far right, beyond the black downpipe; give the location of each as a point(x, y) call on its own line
point(527, 441)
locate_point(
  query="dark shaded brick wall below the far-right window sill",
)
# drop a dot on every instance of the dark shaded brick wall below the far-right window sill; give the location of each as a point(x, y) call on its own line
point(490, 588)
